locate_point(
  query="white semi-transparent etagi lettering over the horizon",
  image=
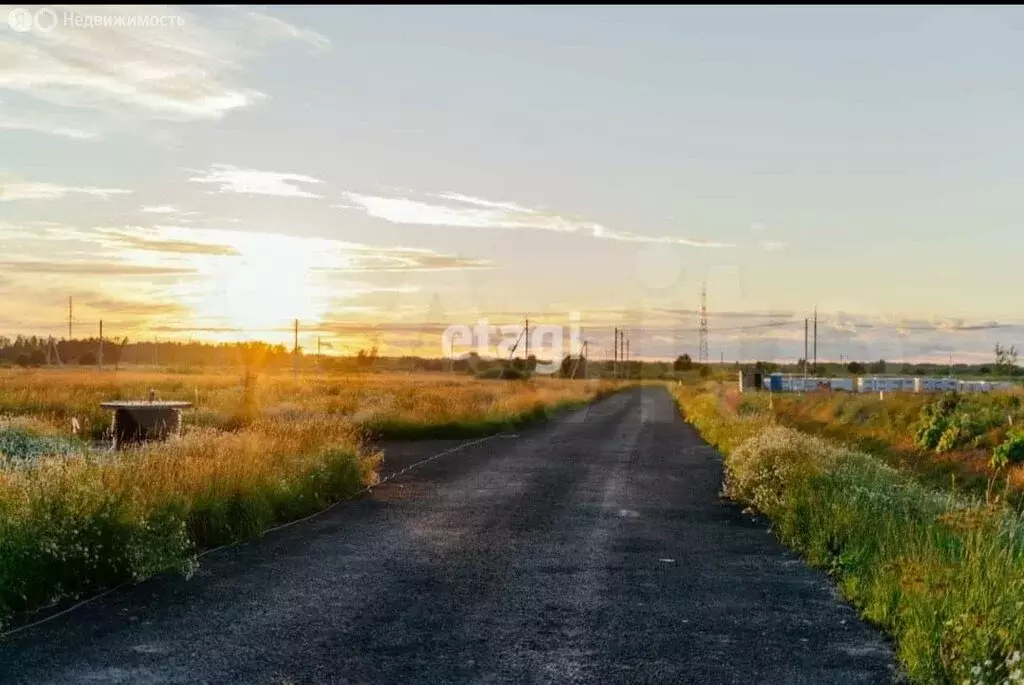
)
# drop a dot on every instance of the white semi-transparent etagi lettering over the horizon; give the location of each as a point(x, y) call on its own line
point(547, 341)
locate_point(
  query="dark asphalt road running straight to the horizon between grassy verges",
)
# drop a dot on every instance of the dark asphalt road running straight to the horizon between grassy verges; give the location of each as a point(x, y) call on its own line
point(590, 550)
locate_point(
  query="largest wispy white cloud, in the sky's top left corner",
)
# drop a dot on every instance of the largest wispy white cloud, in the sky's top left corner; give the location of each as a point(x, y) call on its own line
point(183, 70)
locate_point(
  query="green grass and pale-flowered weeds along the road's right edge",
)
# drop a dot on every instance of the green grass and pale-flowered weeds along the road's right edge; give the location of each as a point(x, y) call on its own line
point(942, 571)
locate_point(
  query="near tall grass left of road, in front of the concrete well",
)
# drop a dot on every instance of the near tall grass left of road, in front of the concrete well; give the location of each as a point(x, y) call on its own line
point(72, 525)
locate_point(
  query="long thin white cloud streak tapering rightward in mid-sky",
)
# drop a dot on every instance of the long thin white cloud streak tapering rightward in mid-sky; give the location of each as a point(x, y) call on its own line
point(466, 211)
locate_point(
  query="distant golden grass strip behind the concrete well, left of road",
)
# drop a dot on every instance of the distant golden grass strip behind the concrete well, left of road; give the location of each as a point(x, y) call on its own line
point(389, 405)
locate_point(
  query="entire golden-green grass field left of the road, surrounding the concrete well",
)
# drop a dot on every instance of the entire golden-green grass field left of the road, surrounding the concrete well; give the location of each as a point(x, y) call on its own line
point(75, 518)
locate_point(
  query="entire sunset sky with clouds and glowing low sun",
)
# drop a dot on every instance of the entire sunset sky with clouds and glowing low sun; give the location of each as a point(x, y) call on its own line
point(383, 174)
